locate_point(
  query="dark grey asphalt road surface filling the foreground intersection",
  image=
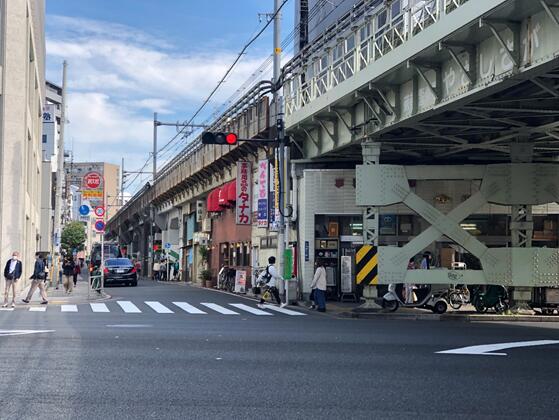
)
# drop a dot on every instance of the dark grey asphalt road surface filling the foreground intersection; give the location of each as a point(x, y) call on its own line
point(179, 365)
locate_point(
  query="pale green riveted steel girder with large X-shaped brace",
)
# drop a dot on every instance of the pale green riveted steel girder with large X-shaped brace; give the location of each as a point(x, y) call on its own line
point(504, 184)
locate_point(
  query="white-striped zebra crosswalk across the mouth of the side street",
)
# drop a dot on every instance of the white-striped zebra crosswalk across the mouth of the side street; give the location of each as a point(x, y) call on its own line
point(129, 307)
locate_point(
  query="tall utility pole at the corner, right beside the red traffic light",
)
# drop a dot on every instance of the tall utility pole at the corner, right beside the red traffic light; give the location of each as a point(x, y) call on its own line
point(282, 235)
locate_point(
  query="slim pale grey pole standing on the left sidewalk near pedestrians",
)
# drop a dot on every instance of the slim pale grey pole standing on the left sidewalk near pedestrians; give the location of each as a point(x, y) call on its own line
point(59, 179)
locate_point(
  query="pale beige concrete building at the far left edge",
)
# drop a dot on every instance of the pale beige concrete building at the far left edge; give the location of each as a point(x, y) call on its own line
point(22, 69)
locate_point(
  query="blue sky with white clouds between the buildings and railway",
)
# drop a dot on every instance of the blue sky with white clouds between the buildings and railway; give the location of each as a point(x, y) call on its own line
point(129, 58)
